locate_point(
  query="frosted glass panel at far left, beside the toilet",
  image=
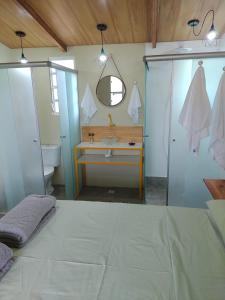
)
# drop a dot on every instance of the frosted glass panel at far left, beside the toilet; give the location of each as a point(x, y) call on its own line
point(21, 169)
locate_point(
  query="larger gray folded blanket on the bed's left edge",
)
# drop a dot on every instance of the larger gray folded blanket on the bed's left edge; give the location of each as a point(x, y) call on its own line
point(18, 225)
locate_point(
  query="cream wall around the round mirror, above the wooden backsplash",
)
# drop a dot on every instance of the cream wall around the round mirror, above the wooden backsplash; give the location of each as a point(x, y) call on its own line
point(128, 58)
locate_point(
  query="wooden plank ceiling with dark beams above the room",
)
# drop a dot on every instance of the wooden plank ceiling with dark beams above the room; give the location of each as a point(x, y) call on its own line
point(65, 23)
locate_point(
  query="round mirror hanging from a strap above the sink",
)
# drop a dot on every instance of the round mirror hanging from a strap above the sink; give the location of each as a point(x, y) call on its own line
point(110, 90)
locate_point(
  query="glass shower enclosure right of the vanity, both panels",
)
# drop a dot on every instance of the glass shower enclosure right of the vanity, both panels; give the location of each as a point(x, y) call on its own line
point(166, 146)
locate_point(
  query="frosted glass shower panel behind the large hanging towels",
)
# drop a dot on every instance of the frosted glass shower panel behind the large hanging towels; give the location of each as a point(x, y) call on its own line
point(186, 170)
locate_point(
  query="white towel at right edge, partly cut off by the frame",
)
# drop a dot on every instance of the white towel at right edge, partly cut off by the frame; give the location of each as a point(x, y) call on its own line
point(217, 141)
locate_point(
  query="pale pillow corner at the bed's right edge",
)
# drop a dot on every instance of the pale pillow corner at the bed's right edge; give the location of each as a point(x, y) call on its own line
point(217, 210)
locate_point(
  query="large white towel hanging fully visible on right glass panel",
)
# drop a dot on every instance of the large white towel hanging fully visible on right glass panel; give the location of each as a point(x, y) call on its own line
point(196, 112)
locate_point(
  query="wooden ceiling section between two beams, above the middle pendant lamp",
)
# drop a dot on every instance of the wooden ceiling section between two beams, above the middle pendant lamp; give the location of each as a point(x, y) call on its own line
point(75, 21)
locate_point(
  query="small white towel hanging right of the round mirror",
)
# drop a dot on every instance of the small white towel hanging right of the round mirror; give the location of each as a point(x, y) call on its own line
point(134, 104)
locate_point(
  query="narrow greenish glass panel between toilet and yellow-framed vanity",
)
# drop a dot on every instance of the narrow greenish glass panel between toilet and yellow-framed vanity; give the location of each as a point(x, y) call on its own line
point(69, 124)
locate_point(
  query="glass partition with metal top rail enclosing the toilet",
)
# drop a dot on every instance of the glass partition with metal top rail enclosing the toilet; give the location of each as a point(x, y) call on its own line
point(21, 164)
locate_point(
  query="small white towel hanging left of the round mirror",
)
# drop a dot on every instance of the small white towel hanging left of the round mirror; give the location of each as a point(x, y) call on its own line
point(88, 105)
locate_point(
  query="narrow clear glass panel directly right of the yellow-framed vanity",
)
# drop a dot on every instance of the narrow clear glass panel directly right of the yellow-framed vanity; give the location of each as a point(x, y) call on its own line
point(157, 116)
